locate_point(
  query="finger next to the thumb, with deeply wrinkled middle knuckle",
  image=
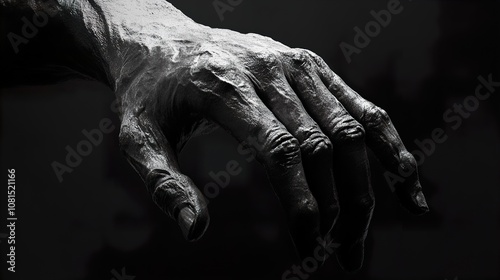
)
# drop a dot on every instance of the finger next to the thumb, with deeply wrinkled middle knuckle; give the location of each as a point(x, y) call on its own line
point(237, 108)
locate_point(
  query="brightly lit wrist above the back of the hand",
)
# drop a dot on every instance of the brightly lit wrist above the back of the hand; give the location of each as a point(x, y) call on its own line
point(122, 35)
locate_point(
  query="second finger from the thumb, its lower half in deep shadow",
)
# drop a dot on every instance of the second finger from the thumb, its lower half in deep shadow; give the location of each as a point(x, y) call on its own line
point(316, 148)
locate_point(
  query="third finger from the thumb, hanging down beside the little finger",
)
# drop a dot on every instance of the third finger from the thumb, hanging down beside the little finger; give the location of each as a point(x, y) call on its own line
point(351, 167)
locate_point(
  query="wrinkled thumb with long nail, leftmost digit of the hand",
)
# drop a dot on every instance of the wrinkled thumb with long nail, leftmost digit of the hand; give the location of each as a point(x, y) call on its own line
point(149, 152)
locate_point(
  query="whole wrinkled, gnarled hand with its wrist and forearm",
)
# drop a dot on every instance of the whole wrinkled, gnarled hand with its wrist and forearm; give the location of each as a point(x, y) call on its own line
point(174, 77)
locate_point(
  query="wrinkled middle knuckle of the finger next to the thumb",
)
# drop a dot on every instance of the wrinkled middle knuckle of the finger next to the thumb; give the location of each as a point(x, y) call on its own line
point(284, 149)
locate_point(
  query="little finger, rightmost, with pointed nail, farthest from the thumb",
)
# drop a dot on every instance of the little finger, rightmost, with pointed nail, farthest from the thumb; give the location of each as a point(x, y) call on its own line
point(382, 138)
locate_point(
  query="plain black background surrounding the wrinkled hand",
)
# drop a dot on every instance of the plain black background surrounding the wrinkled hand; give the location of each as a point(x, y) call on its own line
point(101, 219)
